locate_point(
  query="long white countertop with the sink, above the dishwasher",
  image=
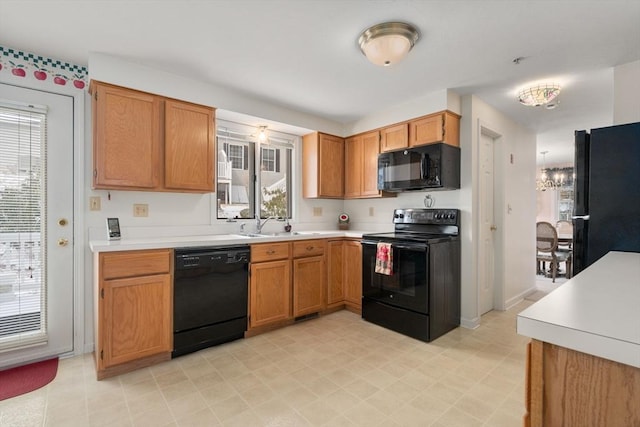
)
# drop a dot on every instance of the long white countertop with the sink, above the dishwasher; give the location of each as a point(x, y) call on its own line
point(211, 240)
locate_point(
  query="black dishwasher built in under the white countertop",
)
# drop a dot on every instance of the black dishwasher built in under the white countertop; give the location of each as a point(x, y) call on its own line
point(210, 292)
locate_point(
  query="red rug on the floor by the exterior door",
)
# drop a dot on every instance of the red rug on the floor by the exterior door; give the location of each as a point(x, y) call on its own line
point(23, 379)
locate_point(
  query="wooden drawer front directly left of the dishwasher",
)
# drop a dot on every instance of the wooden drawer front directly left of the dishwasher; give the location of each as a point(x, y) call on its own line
point(114, 265)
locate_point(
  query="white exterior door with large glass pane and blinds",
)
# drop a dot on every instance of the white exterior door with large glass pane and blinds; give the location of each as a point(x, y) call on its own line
point(46, 255)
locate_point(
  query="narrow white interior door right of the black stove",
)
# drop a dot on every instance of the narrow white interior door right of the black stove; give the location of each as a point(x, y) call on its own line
point(486, 262)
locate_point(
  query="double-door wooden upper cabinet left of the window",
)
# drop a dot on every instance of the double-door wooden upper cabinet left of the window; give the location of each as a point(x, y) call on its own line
point(143, 141)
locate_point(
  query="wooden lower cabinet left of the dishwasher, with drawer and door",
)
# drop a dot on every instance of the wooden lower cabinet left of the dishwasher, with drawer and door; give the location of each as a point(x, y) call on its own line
point(134, 316)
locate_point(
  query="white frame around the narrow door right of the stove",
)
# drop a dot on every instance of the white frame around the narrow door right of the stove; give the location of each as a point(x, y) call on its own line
point(498, 201)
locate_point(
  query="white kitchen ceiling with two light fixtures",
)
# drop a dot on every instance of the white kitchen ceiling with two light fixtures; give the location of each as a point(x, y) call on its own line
point(303, 55)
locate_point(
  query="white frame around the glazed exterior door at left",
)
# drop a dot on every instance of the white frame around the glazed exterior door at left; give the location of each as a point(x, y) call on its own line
point(80, 242)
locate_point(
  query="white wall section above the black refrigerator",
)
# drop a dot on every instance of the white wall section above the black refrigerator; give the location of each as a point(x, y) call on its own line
point(626, 93)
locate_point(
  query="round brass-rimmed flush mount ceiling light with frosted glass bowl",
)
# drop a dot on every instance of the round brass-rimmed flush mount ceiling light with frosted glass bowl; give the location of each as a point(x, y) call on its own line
point(388, 43)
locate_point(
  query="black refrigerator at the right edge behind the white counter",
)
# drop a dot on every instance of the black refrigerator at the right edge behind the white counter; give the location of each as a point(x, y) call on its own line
point(606, 215)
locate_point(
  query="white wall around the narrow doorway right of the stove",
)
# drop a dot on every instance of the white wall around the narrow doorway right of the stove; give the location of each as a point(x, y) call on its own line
point(515, 206)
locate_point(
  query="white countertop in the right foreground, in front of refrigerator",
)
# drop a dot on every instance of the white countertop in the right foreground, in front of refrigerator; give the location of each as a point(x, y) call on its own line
point(596, 312)
